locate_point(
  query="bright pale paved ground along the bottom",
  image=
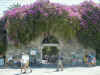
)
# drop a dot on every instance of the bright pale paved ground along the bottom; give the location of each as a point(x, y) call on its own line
point(52, 71)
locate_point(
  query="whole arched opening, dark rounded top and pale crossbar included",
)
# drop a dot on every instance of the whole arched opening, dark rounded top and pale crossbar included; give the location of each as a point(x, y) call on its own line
point(50, 49)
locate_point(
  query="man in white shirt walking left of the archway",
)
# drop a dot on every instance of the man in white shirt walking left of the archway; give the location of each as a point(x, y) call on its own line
point(25, 62)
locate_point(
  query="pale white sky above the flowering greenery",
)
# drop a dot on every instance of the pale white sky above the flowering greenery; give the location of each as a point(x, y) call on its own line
point(4, 4)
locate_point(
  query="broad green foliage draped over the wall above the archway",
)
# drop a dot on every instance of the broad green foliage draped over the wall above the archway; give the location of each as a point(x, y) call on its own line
point(34, 24)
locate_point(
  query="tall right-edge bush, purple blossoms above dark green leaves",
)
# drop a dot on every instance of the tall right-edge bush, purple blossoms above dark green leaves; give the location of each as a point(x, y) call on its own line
point(89, 34)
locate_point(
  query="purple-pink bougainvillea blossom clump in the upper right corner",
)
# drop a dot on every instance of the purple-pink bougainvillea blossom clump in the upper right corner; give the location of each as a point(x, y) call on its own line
point(90, 15)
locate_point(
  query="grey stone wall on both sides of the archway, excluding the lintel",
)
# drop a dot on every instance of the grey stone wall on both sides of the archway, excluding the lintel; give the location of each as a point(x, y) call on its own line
point(67, 49)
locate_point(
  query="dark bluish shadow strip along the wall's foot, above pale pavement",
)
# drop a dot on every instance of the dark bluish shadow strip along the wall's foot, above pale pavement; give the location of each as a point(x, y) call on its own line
point(47, 66)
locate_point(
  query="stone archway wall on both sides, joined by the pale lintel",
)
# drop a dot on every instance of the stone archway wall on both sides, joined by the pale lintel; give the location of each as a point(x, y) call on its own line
point(67, 48)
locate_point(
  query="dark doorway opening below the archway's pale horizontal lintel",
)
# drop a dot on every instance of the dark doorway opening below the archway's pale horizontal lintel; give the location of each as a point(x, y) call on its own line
point(49, 54)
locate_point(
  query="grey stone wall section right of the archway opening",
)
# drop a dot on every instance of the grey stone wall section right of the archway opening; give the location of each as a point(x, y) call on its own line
point(73, 47)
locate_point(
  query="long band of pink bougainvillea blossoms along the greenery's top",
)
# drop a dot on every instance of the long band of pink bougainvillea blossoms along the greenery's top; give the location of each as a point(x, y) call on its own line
point(84, 9)
